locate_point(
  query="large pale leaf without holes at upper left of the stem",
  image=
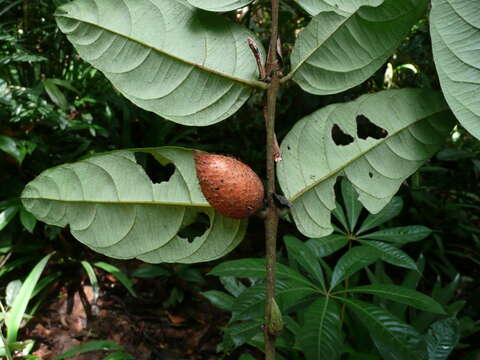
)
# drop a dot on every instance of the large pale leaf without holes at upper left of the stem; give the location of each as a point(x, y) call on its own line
point(186, 65)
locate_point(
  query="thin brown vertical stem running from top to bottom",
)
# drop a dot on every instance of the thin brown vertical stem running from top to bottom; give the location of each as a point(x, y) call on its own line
point(272, 218)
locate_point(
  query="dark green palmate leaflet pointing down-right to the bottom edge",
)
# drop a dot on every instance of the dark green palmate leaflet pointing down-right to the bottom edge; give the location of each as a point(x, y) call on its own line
point(394, 339)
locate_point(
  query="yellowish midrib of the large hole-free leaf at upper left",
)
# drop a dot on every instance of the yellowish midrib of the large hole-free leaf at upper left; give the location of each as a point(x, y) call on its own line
point(250, 83)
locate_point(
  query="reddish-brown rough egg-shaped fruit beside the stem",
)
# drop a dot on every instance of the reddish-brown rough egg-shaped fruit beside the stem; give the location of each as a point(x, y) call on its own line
point(231, 187)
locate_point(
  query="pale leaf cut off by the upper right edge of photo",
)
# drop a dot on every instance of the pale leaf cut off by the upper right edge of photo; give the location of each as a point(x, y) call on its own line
point(455, 31)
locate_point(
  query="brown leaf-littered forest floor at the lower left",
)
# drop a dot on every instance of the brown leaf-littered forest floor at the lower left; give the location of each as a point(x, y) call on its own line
point(190, 330)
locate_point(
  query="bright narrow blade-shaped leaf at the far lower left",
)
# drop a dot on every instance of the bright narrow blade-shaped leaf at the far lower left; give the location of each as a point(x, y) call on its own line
point(20, 303)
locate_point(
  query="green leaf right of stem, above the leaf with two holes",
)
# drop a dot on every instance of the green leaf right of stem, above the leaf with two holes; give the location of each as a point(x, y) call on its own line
point(339, 50)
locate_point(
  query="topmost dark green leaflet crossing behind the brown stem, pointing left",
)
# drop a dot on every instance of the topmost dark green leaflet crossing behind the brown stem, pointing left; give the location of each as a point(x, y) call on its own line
point(256, 268)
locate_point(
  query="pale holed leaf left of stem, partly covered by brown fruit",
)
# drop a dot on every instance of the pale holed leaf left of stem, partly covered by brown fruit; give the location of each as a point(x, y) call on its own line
point(112, 206)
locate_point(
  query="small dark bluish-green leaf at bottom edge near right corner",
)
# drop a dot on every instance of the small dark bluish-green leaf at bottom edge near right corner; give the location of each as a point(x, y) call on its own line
point(442, 337)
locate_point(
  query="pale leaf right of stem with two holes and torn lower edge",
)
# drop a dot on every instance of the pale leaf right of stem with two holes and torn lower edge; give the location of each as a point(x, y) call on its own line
point(376, 142)
